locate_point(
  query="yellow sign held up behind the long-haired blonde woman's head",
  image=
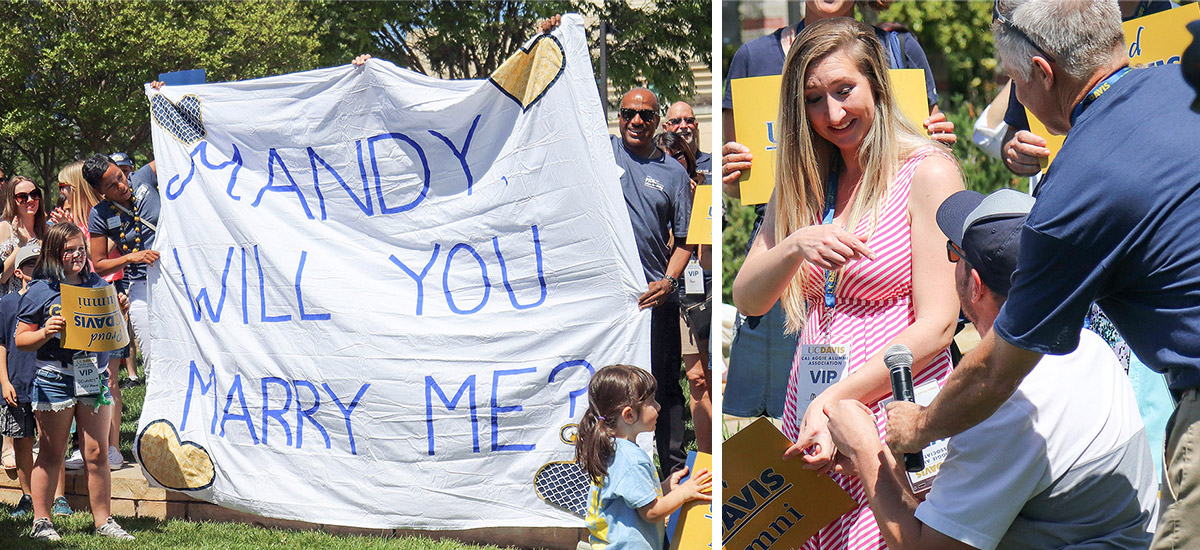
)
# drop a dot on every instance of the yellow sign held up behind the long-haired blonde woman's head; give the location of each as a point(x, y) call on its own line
point(757, 110)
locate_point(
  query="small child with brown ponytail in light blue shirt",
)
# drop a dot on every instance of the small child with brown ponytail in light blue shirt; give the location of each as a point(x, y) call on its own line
point(627, 507)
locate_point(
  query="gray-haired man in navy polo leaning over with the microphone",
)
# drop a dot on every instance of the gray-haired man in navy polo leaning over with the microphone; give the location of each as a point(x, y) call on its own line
point(1115, 223)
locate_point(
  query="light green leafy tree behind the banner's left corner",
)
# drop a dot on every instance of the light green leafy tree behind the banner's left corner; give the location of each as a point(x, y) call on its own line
point(73, 74)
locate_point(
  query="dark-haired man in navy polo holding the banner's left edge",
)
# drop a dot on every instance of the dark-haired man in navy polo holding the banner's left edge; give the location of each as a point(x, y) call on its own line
point(125, 220)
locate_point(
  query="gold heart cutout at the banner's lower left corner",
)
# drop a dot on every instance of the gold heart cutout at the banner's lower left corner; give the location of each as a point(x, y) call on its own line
point(175, 464)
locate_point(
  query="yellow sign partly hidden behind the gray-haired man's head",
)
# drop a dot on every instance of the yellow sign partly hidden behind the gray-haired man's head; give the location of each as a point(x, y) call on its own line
point(1154, 40)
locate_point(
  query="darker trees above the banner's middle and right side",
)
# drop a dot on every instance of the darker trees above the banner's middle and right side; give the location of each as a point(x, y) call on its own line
point(651, 44)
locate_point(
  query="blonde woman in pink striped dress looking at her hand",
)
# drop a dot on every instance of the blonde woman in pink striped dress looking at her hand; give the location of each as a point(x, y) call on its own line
point(850, 246)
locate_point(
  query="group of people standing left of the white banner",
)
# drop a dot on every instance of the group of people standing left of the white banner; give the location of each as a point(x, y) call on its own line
point(100, 234)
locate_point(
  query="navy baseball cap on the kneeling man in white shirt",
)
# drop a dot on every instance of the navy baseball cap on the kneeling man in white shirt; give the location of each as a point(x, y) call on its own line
point(988, 230)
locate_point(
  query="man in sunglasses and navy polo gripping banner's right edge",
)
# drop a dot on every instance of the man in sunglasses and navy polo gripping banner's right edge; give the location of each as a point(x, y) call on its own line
point(658, 194)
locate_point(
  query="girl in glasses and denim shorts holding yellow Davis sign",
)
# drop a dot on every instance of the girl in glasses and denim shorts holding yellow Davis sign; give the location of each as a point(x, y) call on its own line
point(69, 386)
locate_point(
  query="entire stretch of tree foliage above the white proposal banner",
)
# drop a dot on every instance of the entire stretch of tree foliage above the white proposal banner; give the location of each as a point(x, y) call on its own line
point(73, 74)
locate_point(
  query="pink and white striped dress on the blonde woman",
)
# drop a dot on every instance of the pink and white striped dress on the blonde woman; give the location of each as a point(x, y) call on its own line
point(874, 306)
